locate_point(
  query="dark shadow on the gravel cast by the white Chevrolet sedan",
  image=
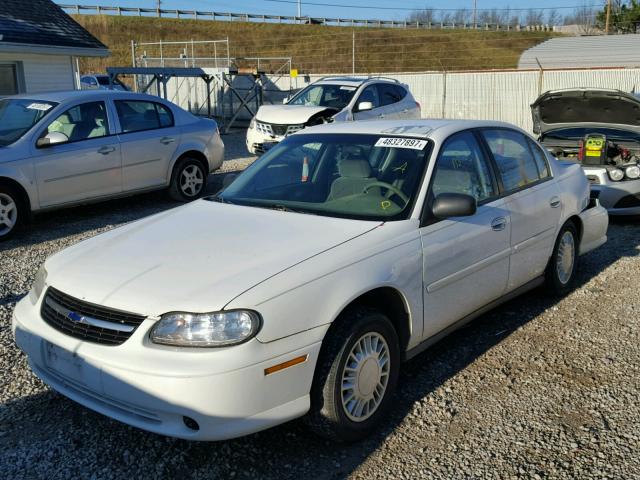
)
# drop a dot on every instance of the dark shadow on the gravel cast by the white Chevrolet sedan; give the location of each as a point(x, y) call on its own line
point(288, 451)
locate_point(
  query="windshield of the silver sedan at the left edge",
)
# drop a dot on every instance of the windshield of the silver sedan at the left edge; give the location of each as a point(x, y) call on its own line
point(18, 116)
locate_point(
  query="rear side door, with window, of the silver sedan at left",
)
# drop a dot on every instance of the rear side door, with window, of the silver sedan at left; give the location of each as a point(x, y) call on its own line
point(149, 139)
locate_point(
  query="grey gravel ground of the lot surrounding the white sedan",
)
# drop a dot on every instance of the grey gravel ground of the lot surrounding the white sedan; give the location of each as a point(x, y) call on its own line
point(537, 388)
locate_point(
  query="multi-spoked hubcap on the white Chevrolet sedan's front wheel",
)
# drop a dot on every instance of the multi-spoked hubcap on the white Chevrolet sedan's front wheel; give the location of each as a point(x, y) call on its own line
point(365, 377)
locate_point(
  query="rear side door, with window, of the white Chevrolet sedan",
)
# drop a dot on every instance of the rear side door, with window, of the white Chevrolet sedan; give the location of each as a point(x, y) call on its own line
point(532, 198)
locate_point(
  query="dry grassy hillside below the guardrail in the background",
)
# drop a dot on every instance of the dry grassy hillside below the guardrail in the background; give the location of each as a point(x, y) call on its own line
point(317, 48)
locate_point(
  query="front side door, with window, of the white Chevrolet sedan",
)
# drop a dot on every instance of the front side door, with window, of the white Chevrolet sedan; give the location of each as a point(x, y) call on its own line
point(466, 259)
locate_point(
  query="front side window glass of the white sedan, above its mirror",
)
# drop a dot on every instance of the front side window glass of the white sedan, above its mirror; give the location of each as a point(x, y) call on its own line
point(463, 168)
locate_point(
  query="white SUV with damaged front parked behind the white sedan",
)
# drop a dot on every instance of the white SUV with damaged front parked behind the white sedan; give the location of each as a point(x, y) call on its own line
point(331, 99)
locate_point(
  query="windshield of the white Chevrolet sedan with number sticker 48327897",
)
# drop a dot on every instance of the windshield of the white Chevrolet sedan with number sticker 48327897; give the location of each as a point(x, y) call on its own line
point(365, 177)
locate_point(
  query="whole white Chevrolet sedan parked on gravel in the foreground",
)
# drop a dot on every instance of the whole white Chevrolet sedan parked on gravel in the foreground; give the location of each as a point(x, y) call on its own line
point(301, 288)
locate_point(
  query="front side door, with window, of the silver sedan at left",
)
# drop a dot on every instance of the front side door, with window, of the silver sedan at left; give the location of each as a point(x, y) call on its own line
point(87, 166)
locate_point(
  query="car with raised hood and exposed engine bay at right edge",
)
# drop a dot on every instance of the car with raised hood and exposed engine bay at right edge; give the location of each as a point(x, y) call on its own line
point(600, 130)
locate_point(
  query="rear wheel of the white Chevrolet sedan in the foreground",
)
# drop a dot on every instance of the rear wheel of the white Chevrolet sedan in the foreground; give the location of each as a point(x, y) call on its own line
point(561, 270)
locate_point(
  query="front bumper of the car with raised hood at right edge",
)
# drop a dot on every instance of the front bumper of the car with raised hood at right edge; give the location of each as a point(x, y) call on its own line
point(619, 198)
